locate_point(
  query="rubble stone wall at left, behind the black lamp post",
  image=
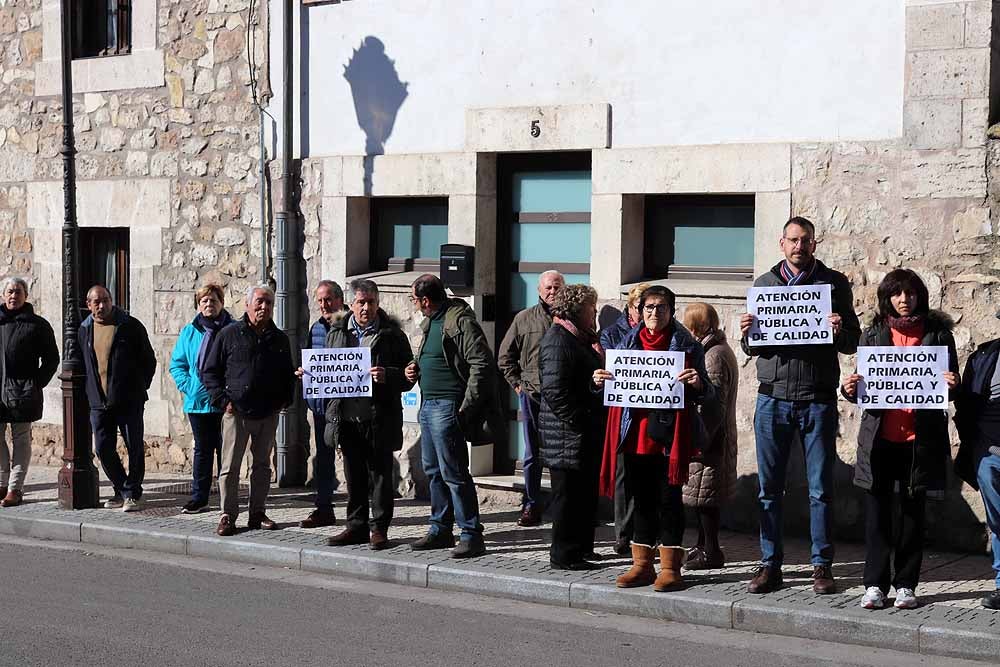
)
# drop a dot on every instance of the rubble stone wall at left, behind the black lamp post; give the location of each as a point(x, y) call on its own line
point(193, 139)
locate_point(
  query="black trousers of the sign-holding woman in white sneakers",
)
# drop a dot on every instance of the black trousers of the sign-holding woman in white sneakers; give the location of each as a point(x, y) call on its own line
point(885, 532)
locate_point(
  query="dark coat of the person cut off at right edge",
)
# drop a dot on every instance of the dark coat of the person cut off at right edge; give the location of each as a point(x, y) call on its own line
point(972, 398)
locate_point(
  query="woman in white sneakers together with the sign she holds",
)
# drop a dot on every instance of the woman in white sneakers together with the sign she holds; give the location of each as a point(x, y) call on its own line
point(907, 368)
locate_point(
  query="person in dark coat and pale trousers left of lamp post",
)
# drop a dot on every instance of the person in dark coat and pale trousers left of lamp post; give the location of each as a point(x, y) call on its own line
point(28, 360)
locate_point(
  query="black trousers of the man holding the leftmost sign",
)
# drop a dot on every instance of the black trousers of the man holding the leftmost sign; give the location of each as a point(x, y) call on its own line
point(368, 469)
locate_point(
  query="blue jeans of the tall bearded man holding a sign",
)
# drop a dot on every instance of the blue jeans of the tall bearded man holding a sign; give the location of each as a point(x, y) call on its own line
point(776, 425)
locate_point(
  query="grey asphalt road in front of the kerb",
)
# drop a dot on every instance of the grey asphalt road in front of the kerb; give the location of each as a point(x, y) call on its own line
point(64, 604)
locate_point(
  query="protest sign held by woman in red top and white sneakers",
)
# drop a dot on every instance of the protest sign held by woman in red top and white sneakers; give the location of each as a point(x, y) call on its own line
point(903, 377)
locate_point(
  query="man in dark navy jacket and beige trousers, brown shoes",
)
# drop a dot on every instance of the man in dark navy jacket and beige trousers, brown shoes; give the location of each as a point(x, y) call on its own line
point(249, 373)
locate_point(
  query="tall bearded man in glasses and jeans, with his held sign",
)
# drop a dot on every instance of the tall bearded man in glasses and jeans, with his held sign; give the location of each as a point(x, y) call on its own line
point(798, 371)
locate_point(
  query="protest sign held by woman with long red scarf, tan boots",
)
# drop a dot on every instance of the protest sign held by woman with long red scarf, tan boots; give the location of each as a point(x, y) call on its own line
point(644, 379)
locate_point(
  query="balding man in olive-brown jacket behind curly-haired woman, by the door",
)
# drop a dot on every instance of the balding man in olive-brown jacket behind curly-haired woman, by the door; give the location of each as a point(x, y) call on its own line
point(518, 360)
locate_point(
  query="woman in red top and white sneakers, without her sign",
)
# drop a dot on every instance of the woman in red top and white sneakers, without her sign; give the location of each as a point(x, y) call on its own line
point(904, 449)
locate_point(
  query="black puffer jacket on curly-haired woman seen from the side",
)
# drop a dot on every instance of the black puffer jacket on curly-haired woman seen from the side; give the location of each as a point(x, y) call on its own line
point(571, 419)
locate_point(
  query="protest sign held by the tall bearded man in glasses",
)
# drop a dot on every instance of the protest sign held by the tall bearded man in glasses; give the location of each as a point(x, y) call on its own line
point(790, 315)
